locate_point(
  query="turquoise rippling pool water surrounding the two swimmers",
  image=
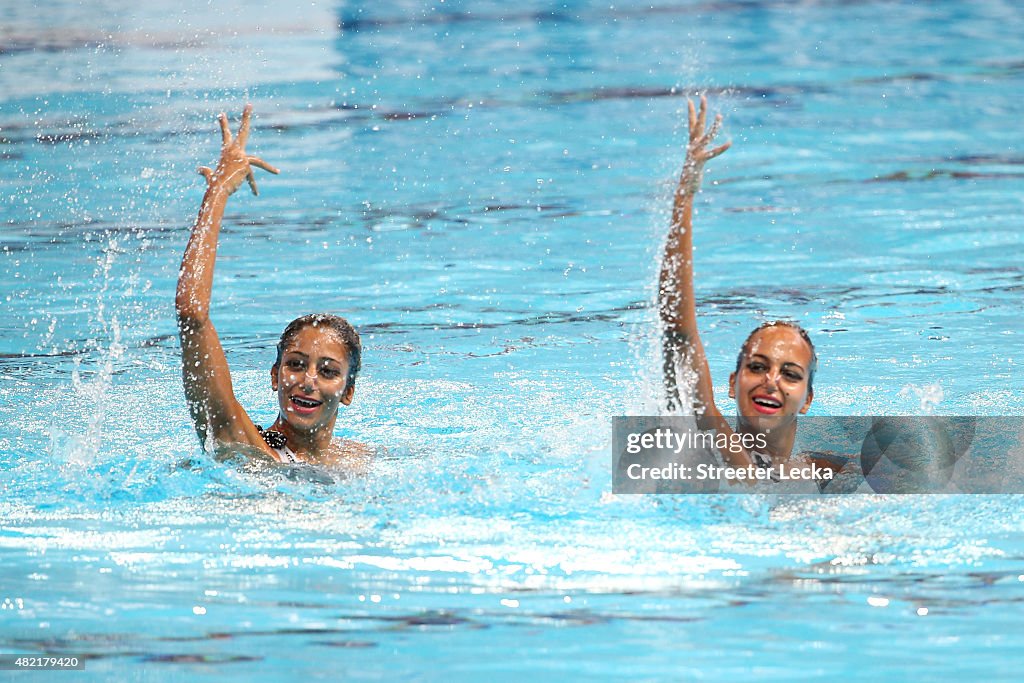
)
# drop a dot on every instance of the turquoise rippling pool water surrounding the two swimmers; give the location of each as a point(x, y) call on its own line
point(482, 190)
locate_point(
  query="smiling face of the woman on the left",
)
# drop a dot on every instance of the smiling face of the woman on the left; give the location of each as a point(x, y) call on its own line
point(312, 379)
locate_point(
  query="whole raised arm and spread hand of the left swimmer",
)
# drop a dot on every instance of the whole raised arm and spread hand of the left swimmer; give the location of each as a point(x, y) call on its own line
point(215, 410)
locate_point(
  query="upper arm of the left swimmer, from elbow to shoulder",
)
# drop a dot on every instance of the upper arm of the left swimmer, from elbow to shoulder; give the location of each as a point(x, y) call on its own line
point(207, 380)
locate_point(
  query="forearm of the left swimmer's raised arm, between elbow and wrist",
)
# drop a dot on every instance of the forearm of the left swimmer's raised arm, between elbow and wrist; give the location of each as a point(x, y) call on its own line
point(196, 276)
